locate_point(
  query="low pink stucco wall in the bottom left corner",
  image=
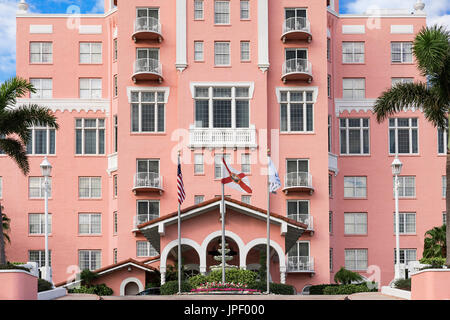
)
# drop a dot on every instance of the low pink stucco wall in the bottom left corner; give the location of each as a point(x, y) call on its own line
point(17, 285)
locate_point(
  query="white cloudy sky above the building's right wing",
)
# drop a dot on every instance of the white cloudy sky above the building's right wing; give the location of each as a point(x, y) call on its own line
point(437, 10)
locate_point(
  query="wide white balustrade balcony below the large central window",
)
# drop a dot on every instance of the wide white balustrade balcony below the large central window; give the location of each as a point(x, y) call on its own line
point(226, 138)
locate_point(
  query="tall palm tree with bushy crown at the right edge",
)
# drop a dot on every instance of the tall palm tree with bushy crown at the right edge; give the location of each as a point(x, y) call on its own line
point(431, 49)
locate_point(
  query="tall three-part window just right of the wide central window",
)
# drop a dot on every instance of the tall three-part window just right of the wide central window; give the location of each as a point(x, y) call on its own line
point(296, 109)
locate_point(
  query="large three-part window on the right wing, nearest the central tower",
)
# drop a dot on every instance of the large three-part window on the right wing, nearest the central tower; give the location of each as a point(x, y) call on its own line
point(354, 136)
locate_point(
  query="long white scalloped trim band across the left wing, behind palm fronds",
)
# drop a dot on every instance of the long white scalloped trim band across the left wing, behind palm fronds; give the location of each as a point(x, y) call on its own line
point(77, 105)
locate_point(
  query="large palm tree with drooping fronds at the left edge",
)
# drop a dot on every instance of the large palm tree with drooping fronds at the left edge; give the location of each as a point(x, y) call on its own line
point(14, 124)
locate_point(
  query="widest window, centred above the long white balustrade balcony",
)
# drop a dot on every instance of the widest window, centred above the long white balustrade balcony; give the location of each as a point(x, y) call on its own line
point(222, 107)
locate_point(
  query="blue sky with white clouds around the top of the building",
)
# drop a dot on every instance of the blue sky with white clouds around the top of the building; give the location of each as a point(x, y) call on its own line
point(438, 12)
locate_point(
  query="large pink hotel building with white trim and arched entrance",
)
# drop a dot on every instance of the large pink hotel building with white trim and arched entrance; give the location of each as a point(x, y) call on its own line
point(133, 86)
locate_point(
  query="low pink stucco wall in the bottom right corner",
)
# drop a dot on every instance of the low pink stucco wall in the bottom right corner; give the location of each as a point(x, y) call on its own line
point(431, 285)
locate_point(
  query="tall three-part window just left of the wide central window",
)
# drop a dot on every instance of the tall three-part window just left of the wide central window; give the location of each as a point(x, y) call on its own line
point(148, 111)
